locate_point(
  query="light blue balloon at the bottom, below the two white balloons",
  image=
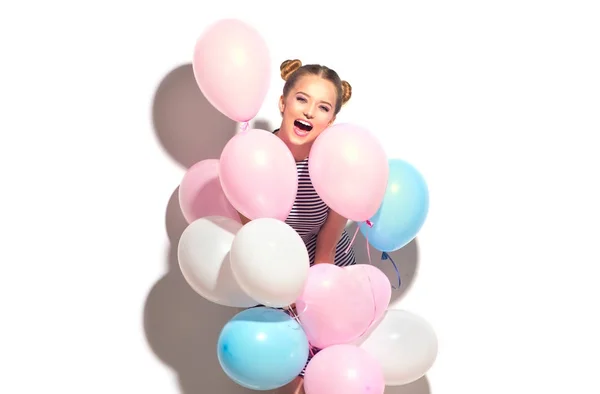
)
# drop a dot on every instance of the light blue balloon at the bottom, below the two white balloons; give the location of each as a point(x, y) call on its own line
point(262, 348)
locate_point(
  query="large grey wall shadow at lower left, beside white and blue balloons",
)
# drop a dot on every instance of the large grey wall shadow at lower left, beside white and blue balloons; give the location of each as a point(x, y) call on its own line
point(182, 327)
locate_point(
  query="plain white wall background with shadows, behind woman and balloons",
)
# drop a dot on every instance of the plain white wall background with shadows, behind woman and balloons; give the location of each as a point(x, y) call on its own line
point(497, 103)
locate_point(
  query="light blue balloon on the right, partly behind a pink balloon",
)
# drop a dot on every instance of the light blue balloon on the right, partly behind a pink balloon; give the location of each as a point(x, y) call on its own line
point(403, 210)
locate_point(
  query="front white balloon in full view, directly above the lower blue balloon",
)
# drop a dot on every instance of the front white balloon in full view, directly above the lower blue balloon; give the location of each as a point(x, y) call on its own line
point(270, 262)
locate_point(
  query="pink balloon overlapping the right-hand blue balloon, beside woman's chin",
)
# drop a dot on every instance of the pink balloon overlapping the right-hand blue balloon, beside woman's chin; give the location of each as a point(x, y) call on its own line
point(349, 170)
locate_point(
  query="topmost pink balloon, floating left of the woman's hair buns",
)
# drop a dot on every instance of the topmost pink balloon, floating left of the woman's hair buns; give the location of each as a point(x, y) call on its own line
point(232, 67)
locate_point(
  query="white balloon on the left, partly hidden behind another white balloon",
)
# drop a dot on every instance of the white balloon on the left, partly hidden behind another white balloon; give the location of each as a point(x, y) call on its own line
point(203, 254)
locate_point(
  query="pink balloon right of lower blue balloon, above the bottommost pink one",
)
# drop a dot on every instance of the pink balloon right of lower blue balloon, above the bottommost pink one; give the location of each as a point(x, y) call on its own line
point(334, 307)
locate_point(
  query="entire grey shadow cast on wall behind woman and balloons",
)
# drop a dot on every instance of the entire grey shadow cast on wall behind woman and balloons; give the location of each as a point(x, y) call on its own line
point(182, 327)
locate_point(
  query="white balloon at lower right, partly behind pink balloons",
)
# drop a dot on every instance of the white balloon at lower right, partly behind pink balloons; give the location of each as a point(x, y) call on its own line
point(405, 345)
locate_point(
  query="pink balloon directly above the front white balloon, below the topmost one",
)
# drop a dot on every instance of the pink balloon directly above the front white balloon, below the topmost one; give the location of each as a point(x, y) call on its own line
point(258, 175)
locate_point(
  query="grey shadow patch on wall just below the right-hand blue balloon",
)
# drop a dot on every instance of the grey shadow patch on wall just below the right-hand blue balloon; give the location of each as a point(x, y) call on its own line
point(406, 259)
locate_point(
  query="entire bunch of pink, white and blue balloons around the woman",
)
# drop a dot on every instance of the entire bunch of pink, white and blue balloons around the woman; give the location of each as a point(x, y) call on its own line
point(262, 265)
